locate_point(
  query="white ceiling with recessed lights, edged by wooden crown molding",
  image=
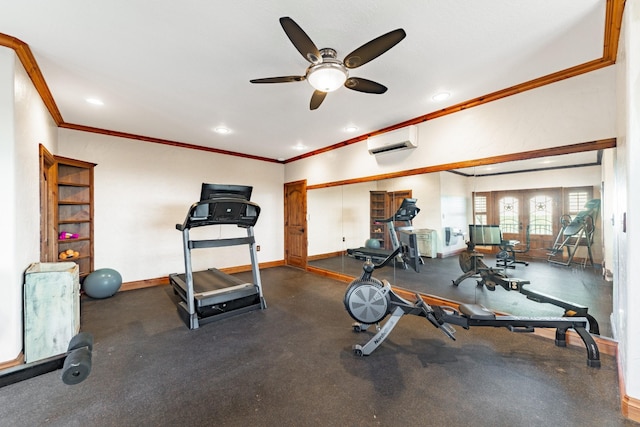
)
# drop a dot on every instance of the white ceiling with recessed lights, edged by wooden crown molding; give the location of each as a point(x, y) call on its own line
point(175, 70)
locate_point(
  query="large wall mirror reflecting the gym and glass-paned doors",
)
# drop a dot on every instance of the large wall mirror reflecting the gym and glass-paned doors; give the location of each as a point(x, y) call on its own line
point(542, 219)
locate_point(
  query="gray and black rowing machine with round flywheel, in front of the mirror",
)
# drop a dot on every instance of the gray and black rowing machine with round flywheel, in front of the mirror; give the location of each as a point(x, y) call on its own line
point(369, 300)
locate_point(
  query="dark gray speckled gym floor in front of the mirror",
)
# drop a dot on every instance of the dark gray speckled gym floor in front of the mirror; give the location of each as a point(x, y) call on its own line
point(292, 365)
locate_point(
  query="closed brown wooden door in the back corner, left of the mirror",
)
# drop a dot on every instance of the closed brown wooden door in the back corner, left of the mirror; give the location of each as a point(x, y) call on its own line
point(295, 224)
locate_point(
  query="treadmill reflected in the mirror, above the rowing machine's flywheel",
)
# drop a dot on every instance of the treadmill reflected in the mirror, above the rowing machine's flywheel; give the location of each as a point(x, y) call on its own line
point(405, 214)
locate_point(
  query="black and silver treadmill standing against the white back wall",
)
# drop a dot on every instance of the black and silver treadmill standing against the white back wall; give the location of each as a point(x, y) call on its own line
point(211, 294)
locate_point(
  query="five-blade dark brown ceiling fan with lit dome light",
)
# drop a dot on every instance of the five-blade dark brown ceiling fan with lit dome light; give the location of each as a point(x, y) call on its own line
point(327, 73)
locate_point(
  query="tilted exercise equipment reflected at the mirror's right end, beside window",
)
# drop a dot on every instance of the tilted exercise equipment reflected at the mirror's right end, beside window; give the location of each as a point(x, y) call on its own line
point(574, 233)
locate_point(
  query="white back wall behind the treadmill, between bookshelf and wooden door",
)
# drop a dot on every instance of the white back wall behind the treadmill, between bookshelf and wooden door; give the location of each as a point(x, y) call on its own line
point(142, 190)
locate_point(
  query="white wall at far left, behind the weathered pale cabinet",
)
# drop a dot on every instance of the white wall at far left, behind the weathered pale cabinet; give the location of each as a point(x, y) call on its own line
point(24, 124)
